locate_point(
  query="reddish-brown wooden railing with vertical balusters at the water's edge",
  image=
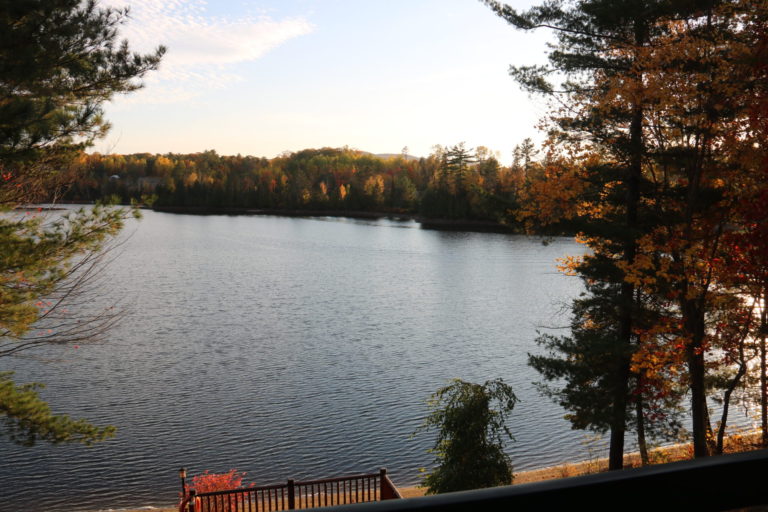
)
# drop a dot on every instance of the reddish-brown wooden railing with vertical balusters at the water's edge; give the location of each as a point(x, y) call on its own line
point(295, 495)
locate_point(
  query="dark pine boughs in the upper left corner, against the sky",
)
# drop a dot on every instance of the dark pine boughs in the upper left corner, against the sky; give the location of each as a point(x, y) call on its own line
point(59, 61)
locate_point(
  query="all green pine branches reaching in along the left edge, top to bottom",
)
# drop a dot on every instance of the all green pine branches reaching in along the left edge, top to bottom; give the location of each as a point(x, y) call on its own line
point(61, 61)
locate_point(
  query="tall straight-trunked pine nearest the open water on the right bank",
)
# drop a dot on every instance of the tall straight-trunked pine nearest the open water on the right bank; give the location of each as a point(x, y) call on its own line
point(596, 38)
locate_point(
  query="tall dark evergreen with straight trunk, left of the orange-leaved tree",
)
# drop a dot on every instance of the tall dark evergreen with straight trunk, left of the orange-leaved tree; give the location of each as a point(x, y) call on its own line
point(600, 43)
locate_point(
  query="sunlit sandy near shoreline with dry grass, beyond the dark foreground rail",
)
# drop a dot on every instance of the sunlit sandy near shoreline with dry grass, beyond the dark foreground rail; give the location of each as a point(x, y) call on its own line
point(733, 444)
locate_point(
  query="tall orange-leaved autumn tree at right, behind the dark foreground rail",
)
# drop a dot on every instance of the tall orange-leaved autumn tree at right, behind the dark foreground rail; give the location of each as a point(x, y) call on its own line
point(700, 82)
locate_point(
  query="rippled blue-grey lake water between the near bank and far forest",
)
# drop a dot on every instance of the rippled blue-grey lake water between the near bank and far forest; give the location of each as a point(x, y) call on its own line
point(290, 348)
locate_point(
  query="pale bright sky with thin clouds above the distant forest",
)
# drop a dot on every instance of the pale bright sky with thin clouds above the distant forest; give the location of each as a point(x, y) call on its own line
point(262, 77)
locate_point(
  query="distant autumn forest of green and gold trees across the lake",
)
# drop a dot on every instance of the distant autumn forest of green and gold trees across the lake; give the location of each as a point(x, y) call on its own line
point(453, 182)
